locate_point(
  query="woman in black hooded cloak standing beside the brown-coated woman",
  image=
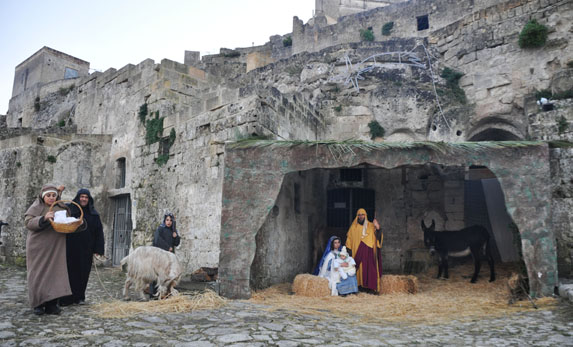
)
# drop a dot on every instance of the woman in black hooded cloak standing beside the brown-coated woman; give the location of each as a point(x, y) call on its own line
point(81, 246)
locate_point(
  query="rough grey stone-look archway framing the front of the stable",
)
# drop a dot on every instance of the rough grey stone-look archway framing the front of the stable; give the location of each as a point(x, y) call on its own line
point(254, 171)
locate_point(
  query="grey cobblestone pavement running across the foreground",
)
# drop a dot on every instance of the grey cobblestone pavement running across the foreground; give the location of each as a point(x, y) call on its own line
point(244, 324)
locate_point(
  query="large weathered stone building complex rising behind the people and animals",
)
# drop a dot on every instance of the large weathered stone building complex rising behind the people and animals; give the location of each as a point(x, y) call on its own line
point(157, 137)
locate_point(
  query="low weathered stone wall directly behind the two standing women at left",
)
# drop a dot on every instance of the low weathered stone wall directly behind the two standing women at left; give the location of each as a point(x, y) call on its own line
point(30, 161)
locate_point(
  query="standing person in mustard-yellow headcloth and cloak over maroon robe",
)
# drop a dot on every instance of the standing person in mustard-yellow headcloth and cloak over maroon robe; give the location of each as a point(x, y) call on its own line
point(365, 239)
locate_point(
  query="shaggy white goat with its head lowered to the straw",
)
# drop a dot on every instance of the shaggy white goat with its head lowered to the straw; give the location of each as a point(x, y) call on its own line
point(149, 264)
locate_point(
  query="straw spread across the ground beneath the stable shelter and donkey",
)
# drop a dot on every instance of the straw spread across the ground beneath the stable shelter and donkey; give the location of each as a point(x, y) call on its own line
point(437, 301)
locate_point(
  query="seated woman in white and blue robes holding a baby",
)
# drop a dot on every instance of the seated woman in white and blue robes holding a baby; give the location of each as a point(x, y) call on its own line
point(337, 285)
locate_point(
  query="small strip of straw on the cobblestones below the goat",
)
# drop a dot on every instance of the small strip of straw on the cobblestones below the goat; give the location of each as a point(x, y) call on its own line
point(174, 304)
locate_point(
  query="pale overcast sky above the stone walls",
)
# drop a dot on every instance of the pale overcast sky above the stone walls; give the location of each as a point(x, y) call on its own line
point(114, 33)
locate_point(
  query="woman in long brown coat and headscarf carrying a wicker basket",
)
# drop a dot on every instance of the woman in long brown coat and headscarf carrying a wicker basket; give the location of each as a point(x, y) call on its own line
point(46, 254)
